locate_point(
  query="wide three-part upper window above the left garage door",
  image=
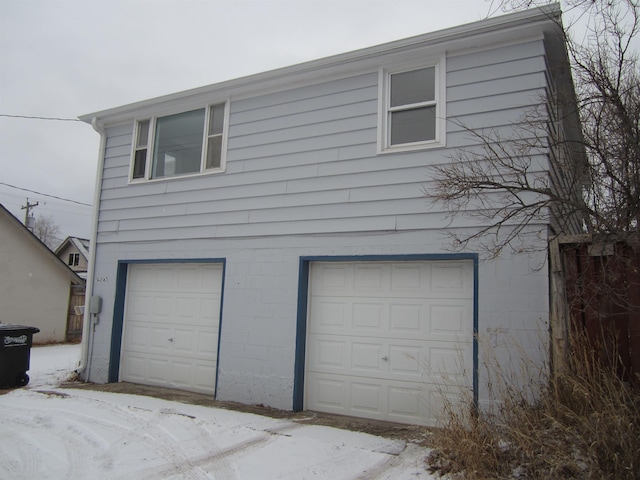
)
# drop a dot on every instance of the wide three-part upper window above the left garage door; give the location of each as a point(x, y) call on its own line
point(180, 144)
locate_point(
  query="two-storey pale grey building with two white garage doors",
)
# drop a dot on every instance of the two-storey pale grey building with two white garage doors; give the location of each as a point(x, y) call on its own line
point(266, 240)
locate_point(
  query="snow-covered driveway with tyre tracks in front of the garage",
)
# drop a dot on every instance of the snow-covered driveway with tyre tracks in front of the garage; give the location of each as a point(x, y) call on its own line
point(52, 433)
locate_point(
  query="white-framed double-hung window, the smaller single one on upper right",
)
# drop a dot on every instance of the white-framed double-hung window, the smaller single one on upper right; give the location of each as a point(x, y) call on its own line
point(412, 109)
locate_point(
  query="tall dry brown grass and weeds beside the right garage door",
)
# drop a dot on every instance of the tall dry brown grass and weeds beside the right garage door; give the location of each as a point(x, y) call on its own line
point(585, 424)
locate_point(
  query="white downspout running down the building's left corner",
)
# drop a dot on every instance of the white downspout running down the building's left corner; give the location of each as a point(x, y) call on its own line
point(84, 367)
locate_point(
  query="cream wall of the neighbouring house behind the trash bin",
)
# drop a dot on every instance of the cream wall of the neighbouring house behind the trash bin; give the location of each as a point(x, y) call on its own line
point(35, 285)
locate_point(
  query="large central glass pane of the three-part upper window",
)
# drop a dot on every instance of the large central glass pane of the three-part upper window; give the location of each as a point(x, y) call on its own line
point(178, 144)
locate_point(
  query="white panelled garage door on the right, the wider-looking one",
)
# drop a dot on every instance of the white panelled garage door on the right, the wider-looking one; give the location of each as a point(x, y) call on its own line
point(388, 340)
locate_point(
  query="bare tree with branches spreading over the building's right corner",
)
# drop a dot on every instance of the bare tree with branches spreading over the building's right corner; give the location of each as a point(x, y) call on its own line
point(522, 180)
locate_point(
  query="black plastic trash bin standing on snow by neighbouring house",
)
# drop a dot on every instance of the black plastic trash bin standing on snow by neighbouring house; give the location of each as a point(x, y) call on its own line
point(15, 353)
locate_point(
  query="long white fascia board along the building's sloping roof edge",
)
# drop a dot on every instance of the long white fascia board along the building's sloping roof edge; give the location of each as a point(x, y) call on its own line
point(484, 32)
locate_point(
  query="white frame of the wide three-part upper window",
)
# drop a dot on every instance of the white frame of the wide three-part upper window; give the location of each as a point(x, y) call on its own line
point(205, 137)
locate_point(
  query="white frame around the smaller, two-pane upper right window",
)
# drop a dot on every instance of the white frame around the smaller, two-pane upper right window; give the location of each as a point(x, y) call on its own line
point(385, 109)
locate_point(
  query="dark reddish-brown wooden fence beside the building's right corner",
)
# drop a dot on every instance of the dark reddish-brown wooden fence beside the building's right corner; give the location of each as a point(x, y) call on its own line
point(596, 291)
